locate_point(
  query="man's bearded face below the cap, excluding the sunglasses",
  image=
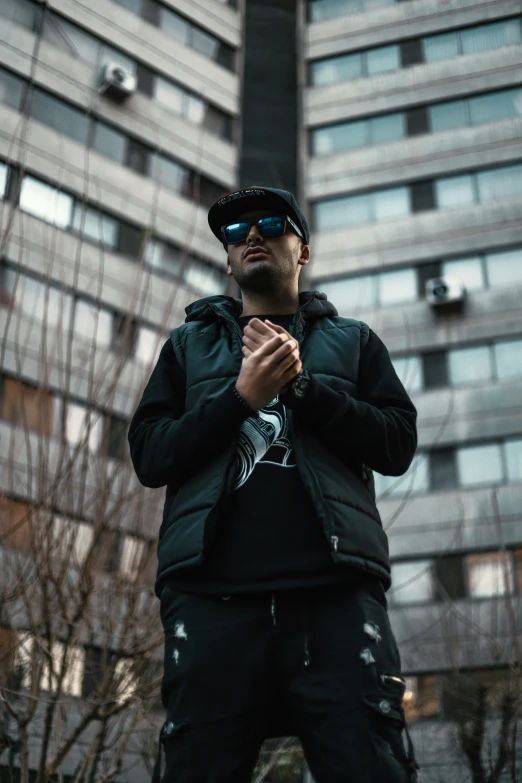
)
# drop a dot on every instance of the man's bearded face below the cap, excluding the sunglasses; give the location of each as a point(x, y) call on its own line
point(276, 262)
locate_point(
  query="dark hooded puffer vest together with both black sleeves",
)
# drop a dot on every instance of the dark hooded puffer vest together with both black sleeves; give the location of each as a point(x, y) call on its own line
point(356, 418)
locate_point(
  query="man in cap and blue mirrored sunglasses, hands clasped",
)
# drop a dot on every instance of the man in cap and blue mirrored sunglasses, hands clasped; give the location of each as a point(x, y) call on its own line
point(264, 418)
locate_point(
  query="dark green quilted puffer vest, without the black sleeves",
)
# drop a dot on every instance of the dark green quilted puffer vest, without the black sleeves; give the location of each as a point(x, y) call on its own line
point(208, 347)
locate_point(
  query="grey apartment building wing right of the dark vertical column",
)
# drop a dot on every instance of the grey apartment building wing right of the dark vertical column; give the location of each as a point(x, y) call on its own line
point(413, 121)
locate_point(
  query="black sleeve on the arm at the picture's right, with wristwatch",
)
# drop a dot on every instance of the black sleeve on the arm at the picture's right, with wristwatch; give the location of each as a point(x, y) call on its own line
point(377, 429)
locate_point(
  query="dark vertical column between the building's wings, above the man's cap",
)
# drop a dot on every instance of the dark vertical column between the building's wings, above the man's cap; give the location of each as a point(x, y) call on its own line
point(269, 148)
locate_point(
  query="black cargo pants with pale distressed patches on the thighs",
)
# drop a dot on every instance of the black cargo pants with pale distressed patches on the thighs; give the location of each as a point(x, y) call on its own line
point(320, 664)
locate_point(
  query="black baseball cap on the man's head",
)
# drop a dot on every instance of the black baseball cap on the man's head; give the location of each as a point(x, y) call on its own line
point(227, 208)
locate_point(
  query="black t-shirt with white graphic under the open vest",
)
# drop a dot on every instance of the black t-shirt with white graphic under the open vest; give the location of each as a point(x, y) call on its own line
point(269, 536)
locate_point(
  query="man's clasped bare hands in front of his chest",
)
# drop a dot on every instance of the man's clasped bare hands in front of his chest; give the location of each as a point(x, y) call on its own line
point(270, 361)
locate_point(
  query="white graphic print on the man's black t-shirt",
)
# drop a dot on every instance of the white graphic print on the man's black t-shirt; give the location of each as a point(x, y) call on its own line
point(259, 434)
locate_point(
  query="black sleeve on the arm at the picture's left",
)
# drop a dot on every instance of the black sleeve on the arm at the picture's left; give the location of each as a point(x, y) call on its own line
point(168, 444)
